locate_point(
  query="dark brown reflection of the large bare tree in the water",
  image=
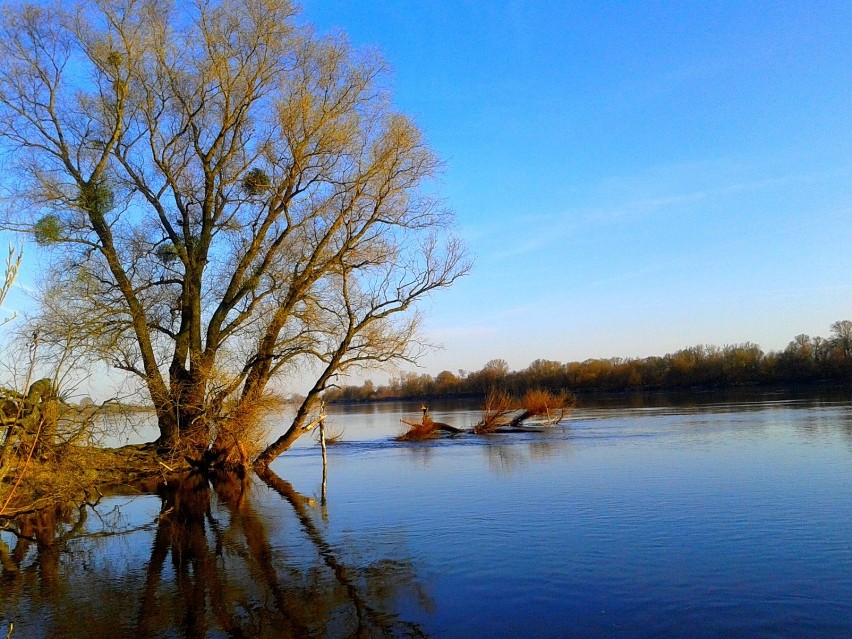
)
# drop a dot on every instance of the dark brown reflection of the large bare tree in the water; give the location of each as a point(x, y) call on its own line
point(214, 570)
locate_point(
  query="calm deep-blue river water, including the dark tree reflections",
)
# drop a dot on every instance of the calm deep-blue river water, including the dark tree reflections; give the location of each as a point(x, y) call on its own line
point(729, 519)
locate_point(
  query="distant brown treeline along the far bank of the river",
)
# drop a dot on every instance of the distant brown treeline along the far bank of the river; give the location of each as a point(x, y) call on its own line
point(805, 360)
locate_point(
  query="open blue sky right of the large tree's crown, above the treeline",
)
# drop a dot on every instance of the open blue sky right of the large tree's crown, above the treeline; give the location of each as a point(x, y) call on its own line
point(632, 178)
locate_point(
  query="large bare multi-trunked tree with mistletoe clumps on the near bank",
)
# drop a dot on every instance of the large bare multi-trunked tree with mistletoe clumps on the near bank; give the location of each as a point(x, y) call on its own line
point(227, 196)
